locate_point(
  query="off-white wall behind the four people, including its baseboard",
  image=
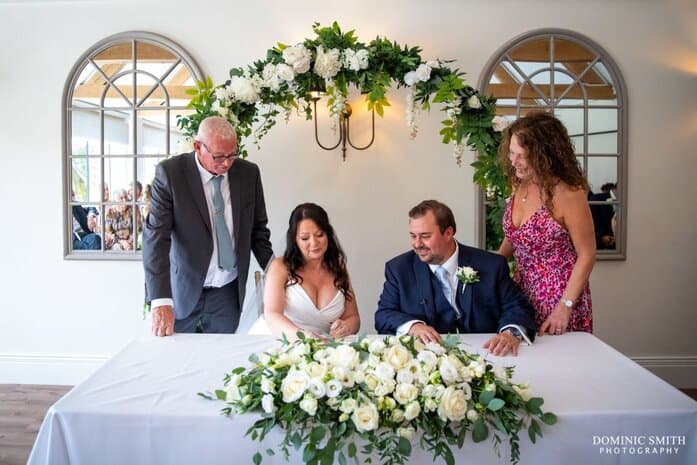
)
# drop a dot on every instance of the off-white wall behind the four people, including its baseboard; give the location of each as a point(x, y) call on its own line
point(60, 318)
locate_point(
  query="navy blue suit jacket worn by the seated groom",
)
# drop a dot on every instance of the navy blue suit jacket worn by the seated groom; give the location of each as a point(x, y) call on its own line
point(411, 292)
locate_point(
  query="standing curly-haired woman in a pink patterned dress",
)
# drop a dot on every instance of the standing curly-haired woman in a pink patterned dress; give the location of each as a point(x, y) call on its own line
point(547, 224)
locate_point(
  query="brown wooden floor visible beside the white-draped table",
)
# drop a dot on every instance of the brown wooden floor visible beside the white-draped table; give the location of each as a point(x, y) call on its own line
point(23, 406)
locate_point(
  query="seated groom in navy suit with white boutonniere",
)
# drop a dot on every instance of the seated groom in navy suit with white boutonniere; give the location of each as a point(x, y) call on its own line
point(424, 297)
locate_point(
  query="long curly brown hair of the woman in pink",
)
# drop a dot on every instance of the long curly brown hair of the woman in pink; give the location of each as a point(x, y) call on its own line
point(550, 153)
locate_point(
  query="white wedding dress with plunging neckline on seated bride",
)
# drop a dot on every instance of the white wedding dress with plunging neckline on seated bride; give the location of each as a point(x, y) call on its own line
point(302, 312)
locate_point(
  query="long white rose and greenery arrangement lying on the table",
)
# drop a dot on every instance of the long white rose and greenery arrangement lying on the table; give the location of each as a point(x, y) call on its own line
point(385, 391)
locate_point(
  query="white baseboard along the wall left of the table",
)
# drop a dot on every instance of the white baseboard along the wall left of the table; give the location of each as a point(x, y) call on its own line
point(47, 369)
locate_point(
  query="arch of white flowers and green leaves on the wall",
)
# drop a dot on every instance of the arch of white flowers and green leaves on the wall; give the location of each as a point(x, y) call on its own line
point(334, 61)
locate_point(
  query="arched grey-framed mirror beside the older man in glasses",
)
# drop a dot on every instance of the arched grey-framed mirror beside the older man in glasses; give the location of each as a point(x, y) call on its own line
point(120, 104)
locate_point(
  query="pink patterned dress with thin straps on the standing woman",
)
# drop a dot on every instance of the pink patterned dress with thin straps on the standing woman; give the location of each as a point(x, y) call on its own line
point(545, 256)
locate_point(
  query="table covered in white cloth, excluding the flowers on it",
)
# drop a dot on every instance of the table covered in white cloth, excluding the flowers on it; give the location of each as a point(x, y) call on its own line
point(141, 407)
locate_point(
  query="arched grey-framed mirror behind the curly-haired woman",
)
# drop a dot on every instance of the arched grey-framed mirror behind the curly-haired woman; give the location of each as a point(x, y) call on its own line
point(573, 77)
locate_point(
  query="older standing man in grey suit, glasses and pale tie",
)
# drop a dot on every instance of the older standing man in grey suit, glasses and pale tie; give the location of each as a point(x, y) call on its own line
point(207, 213)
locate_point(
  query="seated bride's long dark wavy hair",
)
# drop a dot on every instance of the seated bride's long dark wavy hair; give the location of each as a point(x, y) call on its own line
point(334, 258)
